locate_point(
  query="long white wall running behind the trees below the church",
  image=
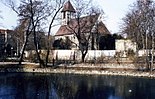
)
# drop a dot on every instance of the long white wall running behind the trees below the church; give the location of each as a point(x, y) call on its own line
point(76, 54)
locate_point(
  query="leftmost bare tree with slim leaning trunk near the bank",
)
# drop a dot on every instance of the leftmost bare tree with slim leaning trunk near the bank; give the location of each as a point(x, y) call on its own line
point(24, 24)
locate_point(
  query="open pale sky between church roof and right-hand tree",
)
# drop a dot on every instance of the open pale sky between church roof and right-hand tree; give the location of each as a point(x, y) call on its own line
point(114, 10)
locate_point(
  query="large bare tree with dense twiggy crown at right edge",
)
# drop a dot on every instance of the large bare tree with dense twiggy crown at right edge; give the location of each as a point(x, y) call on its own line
point(139, 26)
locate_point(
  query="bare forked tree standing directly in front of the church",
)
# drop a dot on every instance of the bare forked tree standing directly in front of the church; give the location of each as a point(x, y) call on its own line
point(82, 25)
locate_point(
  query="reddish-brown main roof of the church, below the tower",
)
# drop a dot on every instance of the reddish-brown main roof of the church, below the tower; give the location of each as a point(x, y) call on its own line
point(85, 24)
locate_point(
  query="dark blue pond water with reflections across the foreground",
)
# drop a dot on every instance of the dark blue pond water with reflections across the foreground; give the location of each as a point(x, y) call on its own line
point(70, 86)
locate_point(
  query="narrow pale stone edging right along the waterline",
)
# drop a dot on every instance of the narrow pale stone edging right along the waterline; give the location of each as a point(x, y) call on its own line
point(86, 72)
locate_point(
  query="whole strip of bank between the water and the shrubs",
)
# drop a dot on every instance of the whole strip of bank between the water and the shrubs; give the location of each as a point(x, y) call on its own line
point(88, 69)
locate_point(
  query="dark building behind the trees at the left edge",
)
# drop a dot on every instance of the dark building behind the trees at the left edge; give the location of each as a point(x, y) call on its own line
point(11, 43)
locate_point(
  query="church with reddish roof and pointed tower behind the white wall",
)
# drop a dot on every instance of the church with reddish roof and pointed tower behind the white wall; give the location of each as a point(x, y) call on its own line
point(89, 25)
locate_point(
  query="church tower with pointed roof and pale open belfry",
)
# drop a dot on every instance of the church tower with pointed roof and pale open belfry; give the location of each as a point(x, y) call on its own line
point(67, 12)
